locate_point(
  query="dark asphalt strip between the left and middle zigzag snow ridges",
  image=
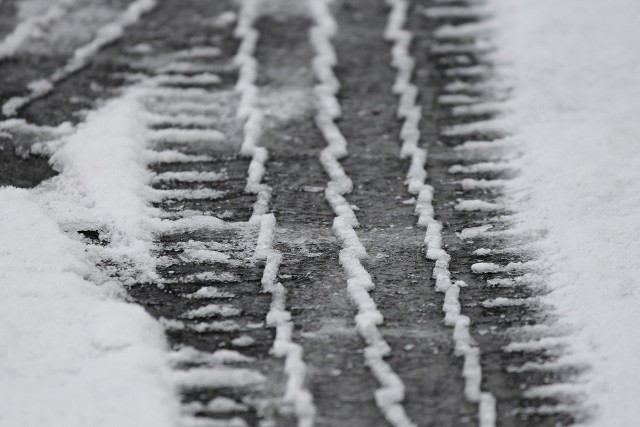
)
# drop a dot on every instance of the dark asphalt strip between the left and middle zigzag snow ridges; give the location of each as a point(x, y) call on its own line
point(341, 385)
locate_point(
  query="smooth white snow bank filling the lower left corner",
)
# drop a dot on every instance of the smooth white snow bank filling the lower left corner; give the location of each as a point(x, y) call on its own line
point(71, 353)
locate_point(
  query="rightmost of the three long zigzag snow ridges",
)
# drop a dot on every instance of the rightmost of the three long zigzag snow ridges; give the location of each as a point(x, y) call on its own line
point(411, 113)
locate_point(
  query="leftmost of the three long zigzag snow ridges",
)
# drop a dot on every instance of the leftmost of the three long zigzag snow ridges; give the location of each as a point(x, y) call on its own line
point(296, 392)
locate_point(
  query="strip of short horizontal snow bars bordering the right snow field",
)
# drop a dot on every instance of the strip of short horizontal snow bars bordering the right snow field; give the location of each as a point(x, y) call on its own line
point(498, 265)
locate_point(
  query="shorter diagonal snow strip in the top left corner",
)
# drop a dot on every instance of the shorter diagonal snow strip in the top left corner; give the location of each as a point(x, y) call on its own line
point(25, 29)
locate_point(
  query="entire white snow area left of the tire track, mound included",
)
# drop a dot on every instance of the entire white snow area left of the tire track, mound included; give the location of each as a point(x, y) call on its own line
point(73, 352)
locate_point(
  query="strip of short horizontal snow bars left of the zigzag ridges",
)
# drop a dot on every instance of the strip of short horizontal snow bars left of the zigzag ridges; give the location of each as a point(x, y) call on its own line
point(207, 294)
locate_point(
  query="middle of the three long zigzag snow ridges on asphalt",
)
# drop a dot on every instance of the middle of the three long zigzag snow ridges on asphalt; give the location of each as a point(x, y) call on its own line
point(390, 395)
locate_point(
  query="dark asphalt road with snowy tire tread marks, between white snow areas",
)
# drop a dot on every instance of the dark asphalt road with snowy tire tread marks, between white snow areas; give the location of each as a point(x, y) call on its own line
point(292, 140)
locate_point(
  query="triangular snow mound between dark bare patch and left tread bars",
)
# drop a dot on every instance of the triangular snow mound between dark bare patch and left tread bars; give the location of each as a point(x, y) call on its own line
point(103, 186)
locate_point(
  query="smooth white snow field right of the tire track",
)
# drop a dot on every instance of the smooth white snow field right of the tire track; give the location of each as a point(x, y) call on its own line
point(575, 68)
